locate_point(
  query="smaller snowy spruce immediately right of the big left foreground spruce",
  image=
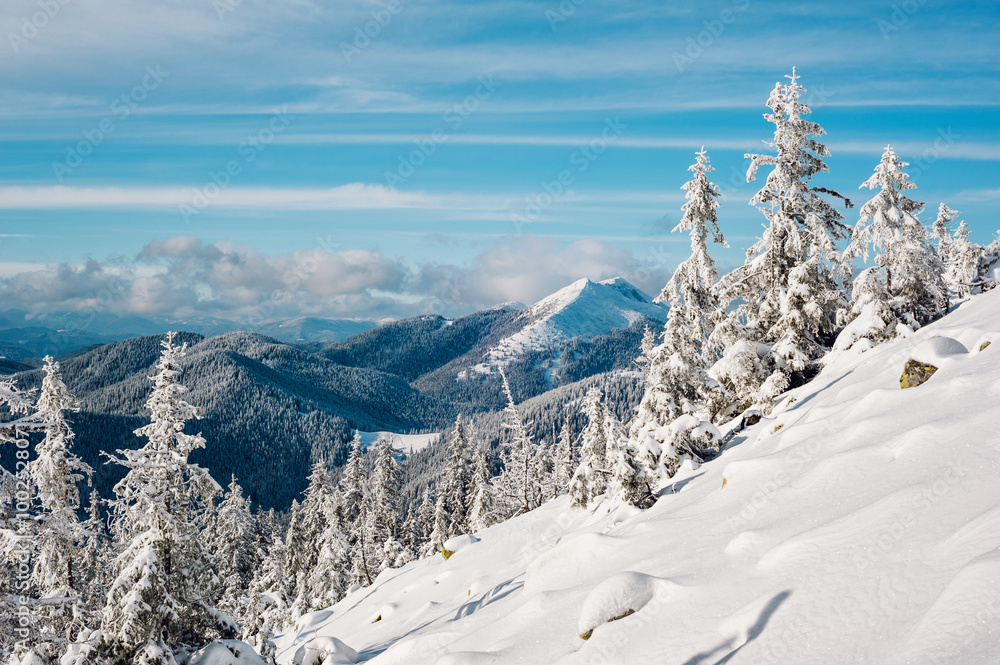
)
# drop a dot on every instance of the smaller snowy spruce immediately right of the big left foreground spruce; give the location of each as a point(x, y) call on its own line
point(232, 539)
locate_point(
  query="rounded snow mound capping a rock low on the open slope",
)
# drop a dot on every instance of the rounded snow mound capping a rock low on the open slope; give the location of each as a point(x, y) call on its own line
point(620, 596)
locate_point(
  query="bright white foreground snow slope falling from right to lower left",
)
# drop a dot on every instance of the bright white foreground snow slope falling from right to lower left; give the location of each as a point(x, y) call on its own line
point(859, 523)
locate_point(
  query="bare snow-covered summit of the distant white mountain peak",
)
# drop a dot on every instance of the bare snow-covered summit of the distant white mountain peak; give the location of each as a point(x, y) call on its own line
point(583, 309)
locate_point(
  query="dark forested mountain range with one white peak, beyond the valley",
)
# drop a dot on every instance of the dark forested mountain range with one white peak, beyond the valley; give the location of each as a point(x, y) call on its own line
point(270, 407)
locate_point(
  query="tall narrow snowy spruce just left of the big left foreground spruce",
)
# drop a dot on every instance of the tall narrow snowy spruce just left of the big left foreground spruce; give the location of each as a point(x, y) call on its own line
point(56, 473)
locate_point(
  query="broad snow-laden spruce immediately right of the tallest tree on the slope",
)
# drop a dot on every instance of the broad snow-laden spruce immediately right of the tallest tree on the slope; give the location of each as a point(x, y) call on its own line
point(905, 289)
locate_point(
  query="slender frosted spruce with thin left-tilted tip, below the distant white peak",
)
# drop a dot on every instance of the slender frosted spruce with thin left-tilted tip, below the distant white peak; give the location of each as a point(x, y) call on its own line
point(518, 487)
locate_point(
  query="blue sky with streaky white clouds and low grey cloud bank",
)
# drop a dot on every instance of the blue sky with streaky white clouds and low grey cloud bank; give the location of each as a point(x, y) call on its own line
point(263, 159)
